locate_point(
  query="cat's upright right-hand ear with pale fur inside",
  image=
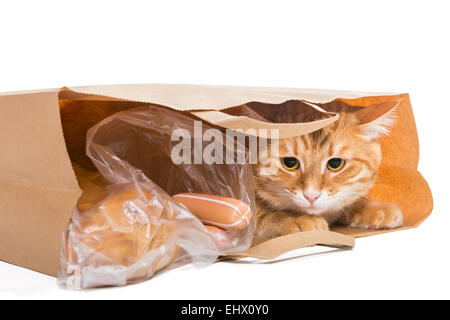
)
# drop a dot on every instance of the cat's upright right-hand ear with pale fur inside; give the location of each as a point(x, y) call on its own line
point(378, 120)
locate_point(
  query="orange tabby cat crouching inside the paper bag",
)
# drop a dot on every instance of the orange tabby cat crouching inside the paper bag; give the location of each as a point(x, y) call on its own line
point(321, 178)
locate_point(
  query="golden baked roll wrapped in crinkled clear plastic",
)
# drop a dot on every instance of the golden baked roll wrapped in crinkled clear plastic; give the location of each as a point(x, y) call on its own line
point(126, 237)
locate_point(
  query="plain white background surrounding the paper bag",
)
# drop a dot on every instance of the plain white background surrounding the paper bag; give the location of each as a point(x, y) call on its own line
point(397, 46)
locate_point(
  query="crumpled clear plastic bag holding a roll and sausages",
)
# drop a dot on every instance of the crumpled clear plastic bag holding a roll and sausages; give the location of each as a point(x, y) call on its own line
point(137, 228)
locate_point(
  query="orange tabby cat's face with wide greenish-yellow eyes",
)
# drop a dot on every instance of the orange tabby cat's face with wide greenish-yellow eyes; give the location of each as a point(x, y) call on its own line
point(325, 171)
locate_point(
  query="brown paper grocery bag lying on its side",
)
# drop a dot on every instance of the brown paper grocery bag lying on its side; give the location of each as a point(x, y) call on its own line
point(38, 187)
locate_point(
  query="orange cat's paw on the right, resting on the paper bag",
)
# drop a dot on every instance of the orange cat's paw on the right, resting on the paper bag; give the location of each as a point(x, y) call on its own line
point(377, 216)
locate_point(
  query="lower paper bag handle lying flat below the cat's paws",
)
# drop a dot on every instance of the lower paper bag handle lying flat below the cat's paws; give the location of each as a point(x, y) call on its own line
point(273, 248)
